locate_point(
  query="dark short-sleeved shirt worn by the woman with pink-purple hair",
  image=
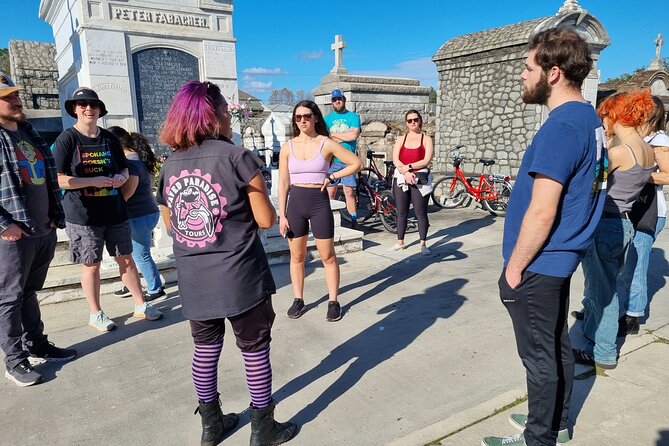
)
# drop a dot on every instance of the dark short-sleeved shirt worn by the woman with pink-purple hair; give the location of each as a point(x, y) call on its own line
point(221, 265)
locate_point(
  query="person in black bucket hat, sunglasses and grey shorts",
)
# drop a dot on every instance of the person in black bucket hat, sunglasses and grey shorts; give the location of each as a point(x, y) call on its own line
point(92, 168)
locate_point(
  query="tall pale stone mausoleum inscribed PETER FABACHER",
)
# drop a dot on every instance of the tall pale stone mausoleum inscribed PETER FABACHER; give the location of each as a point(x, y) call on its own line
point(136, 54)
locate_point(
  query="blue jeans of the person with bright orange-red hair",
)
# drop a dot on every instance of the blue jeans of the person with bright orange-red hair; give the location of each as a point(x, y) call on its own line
point(601, 266)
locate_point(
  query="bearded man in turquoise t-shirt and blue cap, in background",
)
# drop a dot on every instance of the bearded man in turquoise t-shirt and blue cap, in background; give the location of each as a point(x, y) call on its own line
point(344, 128)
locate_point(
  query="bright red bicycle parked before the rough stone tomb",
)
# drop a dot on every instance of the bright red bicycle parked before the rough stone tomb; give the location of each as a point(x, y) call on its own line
point(490, 189)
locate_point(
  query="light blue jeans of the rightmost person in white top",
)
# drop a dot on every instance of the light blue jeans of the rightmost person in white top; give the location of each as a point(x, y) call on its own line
point(635, 272)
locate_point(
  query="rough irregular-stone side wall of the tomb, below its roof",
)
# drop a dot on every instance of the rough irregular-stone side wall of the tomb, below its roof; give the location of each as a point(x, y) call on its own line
point(481, 108)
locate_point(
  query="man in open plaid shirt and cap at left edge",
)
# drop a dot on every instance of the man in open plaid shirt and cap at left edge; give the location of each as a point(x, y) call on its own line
point(30, 212)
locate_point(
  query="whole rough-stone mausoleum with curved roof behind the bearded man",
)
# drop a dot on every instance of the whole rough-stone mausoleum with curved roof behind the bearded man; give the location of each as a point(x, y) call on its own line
point(479, 99)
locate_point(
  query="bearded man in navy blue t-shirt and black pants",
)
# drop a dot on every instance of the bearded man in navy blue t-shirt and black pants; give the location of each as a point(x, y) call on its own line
point(555, 206)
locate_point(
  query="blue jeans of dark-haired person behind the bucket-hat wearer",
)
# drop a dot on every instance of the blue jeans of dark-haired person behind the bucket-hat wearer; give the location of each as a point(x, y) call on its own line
point(141, 229)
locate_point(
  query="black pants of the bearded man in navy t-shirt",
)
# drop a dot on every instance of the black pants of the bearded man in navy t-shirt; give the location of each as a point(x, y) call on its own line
point(538, 307)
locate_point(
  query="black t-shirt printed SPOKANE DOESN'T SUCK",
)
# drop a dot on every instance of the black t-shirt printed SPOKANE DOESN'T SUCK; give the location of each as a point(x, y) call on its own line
point(80, 156)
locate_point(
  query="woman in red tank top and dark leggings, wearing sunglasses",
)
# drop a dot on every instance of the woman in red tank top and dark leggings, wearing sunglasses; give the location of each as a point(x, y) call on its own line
point(411, 155)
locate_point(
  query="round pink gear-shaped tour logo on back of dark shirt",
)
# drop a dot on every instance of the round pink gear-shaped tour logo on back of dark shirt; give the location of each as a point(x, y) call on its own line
point(196, 208)
